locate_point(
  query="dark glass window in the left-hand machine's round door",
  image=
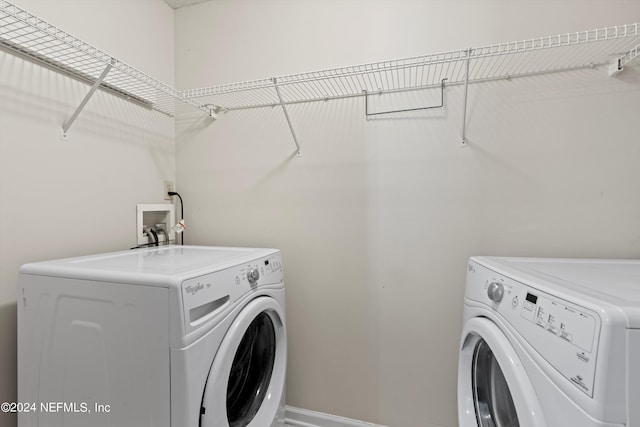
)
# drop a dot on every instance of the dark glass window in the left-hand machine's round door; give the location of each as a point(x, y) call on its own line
point(251, 371)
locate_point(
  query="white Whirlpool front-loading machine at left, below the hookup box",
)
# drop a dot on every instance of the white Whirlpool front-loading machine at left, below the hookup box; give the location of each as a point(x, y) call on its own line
point(175, 336)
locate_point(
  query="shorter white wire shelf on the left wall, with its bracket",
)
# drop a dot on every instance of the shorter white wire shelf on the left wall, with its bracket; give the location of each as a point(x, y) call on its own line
point(38, 40)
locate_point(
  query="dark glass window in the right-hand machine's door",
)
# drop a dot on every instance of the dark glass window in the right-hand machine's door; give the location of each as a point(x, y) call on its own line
point(492, 398)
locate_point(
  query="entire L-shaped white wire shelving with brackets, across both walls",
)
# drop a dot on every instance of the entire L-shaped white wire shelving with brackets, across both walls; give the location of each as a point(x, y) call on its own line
point(27, 35)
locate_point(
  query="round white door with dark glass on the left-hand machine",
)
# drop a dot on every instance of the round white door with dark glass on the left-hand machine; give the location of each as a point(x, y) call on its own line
point(245, 386)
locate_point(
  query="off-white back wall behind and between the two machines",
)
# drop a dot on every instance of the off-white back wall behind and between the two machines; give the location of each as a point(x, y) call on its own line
point(377, 218)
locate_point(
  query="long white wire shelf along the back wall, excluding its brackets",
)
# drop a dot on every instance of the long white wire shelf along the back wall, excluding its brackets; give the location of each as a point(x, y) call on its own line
point(521, 58)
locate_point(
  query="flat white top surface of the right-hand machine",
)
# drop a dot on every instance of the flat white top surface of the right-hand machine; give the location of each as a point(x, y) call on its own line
point(616, 282)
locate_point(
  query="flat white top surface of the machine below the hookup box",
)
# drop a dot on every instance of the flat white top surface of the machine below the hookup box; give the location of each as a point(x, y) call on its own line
point(158, 266)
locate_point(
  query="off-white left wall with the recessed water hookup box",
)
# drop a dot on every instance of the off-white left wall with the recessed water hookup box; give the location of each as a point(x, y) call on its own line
point(65, 198)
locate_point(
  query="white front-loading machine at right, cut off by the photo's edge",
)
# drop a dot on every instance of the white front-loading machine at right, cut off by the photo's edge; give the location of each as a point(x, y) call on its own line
point(550, 342)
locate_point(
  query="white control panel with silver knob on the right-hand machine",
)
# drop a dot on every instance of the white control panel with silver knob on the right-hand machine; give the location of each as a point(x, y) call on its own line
point(565, 334)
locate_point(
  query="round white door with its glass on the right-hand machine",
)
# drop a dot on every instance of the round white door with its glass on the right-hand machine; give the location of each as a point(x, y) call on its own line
point(493, 387)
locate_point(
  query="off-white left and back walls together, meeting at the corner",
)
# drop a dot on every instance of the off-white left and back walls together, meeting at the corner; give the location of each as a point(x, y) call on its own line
point(377, 218)
